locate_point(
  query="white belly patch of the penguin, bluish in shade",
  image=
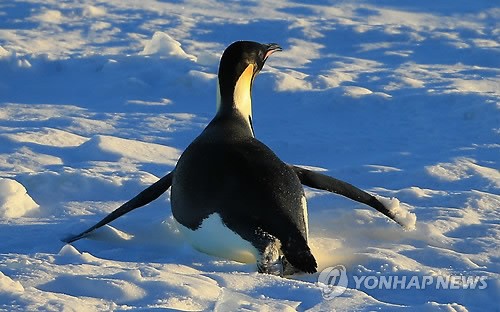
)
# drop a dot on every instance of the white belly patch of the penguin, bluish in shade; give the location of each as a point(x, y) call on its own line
point(215, 238)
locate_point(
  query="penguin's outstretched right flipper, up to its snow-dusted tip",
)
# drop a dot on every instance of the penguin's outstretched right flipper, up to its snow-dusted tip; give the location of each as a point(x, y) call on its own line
point(327, 183)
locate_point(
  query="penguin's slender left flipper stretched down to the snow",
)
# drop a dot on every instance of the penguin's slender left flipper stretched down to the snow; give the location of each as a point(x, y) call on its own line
point(143, 198)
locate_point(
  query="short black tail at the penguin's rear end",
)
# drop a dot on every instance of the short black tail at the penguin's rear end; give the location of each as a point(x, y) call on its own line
point(298, 254)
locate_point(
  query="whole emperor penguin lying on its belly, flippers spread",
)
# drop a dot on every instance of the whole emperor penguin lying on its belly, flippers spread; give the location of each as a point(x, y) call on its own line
point(231, 195)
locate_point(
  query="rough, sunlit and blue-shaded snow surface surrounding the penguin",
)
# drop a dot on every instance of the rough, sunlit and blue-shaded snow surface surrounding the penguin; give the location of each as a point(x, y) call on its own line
point(99, 98)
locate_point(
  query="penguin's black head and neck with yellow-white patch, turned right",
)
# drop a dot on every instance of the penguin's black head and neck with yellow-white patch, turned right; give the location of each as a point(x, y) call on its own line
point(239, 65)
